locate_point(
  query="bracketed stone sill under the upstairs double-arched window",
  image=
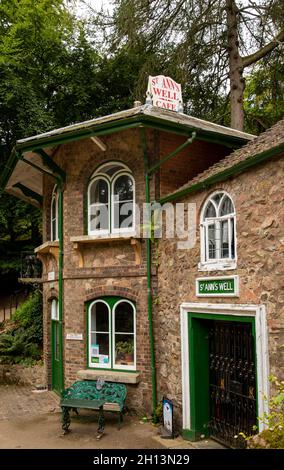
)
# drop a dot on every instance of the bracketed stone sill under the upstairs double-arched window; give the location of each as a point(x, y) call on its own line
point(80, 242)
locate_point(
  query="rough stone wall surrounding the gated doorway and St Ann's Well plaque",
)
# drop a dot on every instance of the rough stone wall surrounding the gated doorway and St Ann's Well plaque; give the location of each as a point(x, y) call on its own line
point(258, 198)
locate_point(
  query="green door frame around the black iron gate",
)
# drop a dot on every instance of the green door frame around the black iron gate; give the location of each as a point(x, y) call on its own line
point(199, 369)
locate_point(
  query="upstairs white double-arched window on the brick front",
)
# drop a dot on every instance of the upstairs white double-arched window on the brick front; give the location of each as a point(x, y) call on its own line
point(111, 195)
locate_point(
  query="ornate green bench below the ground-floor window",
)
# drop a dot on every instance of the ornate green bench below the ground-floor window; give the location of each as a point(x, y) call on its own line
point(91, 394)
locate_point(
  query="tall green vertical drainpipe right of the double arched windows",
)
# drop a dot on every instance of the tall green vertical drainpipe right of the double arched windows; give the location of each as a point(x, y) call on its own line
point(149, 281)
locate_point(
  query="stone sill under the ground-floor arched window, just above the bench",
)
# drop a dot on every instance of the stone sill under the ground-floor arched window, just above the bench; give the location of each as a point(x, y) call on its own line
point(109, 376)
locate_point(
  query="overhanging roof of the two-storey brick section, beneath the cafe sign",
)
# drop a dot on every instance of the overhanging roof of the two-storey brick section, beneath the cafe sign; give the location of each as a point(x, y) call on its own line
point(33, 156)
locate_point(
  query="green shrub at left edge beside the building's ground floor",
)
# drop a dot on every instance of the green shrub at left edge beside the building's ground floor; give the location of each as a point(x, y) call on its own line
point(24, 340)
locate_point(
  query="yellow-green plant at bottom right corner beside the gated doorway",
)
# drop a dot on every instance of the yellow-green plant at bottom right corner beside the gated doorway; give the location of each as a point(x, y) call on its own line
point(273, 436)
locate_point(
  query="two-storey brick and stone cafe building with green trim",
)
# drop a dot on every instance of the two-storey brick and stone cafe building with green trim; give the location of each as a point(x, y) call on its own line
point(121, 307)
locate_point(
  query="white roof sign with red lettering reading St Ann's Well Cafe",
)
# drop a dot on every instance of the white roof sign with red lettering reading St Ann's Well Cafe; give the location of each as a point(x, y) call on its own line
point(165, 93)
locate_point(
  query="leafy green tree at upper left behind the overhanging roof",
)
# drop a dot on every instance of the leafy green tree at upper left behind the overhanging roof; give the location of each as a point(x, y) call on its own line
point(48, 79)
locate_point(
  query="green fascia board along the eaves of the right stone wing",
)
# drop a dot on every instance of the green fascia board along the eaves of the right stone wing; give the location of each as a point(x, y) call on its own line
point(225, 174)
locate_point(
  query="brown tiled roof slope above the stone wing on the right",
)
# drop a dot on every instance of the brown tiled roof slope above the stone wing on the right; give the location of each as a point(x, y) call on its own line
point(267, 144)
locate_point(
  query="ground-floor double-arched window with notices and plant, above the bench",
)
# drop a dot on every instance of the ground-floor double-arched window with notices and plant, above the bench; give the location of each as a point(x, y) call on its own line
point(112, 334)
